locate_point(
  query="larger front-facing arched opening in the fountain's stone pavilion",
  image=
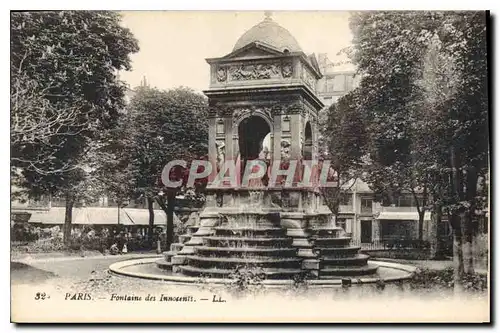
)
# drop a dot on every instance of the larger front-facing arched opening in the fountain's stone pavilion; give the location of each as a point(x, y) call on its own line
point(253, 140)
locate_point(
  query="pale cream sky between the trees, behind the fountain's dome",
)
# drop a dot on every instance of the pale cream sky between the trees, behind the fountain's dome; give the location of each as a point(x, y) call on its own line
point(174, 44)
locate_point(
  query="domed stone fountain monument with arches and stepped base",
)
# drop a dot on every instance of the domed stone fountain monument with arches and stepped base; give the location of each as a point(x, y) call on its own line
point(264, 93)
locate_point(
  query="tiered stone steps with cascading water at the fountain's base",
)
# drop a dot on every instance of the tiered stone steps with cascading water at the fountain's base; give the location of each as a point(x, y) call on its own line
point(218, 253)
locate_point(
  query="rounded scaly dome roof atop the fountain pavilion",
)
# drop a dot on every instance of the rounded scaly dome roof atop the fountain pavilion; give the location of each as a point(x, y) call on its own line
point(270, 33)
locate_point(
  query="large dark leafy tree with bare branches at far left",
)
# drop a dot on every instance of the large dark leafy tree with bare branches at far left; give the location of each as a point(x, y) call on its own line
point(66, 63)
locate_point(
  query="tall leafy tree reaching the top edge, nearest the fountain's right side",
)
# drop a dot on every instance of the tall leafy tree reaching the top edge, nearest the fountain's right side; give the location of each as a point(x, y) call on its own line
point(388, 49)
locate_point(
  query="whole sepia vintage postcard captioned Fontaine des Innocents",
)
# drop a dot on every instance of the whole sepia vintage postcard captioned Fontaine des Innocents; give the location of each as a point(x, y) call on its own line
point(250, 166)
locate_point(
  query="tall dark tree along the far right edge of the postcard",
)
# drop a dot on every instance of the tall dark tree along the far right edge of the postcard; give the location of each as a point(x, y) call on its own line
point(464, 38)
